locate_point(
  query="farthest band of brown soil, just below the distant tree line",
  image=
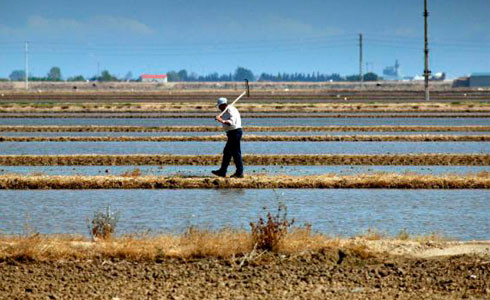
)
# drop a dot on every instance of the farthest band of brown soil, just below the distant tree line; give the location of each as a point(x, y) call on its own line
point(199, 92)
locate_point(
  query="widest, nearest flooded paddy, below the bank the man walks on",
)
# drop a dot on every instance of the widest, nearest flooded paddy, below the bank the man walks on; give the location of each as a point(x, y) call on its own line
point(458, 214)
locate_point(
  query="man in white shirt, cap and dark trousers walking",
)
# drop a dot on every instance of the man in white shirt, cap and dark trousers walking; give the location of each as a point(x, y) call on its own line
point(232, 124)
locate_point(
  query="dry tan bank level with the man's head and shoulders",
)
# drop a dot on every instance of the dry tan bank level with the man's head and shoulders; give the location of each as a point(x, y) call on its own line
point(169, 107)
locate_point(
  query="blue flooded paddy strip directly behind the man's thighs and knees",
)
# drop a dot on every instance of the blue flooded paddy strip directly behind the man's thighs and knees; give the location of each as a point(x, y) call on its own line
point(202, 148)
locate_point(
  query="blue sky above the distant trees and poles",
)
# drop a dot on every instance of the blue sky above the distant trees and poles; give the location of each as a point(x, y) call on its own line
point(266, 36)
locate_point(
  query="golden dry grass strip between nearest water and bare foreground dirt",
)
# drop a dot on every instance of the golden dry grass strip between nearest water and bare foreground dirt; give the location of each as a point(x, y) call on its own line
point(234, 245)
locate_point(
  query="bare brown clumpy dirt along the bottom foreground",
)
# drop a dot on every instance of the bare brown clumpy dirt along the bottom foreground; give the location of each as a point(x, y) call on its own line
point(403, 270)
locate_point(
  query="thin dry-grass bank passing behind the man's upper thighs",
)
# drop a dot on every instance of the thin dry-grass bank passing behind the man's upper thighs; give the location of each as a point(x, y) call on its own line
point(255, 138)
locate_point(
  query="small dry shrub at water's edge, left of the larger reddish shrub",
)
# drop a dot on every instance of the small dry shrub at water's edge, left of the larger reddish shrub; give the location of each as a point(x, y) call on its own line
point(103, 224)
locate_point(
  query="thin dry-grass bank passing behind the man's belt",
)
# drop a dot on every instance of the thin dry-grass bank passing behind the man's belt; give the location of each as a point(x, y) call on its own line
point(9, 128)
